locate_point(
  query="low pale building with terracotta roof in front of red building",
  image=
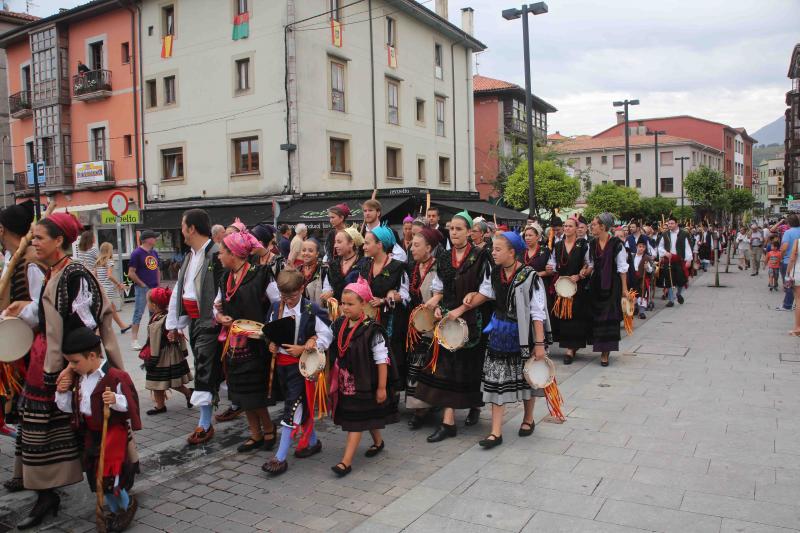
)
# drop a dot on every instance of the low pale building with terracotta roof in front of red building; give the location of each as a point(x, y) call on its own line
point(602, 160)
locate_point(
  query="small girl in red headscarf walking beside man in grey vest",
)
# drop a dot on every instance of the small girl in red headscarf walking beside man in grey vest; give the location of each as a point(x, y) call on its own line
point(165, 362)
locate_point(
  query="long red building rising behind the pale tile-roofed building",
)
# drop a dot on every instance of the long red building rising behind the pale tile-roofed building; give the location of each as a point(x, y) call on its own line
point(734, 142)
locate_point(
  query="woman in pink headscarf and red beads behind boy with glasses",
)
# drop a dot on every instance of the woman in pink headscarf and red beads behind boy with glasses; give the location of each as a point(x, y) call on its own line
point(245, 360)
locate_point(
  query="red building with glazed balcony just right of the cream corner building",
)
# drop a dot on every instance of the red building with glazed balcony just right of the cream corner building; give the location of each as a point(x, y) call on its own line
point(501, 127)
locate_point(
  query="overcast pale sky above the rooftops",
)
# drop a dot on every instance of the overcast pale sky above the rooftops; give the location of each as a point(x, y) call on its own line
point(723, 60)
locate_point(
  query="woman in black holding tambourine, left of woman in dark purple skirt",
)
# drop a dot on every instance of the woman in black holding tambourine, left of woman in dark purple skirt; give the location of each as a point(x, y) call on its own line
point(570, 258)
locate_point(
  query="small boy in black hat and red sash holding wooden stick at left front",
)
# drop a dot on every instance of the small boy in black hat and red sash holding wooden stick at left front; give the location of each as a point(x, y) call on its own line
point(89, 385)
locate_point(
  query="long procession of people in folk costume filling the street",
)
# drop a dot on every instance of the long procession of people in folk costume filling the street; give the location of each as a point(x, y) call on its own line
point(352, 296)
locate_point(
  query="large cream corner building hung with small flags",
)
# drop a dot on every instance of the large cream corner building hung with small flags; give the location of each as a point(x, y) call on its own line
point(291, 109)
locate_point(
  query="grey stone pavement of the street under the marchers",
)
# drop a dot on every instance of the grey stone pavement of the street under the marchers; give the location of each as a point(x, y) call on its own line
point(692, 427)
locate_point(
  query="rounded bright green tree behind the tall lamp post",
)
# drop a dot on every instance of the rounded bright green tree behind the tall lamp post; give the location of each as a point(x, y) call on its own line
point(554, 188)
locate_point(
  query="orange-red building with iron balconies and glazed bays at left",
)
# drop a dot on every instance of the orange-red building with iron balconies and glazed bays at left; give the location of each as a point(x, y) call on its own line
point(68, 112)
